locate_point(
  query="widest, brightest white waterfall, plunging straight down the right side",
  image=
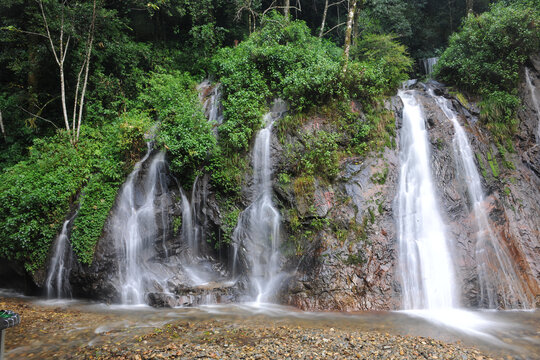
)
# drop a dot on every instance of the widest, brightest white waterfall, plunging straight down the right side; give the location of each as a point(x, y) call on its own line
point(426, 266)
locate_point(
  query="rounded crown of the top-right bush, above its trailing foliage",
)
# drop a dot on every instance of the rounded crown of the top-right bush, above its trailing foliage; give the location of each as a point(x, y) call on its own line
point(488, 51)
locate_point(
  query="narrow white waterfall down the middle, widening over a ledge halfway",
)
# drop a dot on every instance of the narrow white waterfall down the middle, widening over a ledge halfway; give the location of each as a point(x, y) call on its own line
point(257, 233)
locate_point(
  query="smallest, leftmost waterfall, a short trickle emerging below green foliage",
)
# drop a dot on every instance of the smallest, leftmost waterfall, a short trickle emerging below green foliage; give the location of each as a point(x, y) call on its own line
point(57, 282)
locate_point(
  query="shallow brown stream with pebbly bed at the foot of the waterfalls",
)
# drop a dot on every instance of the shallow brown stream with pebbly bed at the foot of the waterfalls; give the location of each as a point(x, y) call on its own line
point(84, 330)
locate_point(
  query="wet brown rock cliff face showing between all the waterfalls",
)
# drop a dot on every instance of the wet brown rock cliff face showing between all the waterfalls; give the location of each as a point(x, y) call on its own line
point(339, 235)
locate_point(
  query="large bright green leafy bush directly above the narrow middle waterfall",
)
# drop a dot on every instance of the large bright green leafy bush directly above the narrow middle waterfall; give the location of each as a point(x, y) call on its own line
point(281, 60)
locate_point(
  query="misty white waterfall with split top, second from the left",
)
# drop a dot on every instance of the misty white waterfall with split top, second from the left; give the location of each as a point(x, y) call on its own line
point(135, 229)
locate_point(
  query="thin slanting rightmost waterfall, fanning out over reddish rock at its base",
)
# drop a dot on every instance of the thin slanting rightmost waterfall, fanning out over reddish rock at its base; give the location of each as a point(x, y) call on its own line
point(496, 271)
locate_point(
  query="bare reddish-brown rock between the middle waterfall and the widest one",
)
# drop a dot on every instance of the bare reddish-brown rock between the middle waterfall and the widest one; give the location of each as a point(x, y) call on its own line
point(346, 252)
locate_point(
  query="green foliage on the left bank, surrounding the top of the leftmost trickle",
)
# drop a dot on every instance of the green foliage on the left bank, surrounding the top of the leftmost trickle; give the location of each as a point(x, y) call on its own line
point(36, 194)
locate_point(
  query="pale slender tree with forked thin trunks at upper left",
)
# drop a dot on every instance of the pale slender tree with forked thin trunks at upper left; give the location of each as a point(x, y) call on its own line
point(59, 47)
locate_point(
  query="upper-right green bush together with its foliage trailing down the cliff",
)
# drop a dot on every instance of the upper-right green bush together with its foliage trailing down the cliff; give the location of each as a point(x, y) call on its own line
point(485, 58)
